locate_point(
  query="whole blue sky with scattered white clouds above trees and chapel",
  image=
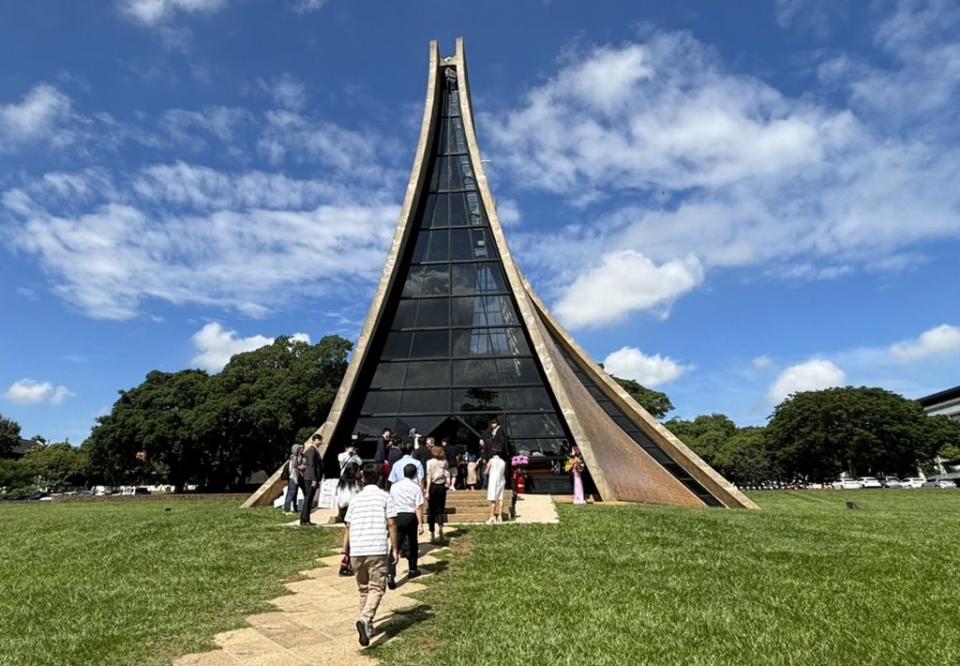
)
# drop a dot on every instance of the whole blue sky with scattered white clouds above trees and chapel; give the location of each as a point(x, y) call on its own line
point(729, 202)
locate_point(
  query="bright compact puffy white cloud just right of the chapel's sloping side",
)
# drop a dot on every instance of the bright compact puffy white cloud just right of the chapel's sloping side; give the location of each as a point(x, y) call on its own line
point(623, 283)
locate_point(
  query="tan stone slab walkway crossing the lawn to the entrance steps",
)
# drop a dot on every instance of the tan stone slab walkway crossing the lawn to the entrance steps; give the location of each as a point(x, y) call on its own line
point(316, 624)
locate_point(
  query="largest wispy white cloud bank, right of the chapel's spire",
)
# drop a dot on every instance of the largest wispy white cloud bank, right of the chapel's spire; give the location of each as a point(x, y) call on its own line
point(686, 157)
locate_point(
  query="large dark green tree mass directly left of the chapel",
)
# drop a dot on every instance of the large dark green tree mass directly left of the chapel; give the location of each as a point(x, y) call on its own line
point(189, 427)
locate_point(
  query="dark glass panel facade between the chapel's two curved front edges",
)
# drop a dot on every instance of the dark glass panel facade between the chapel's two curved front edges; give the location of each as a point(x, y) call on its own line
point(452, 344)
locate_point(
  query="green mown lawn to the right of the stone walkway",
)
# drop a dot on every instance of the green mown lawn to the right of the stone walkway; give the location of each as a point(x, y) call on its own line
point(803, 581)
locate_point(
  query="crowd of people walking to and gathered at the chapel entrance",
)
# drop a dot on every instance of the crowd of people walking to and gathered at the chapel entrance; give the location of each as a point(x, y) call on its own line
point(385, 503)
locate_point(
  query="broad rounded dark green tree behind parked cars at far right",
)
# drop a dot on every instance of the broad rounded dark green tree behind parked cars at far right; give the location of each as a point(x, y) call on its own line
point(820, 434)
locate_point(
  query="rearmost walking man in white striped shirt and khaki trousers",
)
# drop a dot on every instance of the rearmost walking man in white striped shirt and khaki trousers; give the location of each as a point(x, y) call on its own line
point(371, 540)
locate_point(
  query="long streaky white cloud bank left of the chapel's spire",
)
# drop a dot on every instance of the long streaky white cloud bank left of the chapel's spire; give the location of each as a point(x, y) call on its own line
point(185, 234)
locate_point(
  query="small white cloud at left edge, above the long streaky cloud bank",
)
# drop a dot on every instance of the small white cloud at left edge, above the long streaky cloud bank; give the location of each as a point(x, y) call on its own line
point(38, 116)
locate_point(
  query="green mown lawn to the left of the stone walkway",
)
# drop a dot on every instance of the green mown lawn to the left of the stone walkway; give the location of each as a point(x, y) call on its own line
point(135, 583)
